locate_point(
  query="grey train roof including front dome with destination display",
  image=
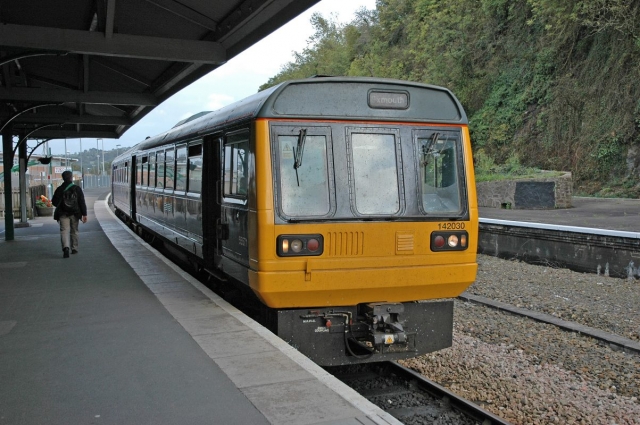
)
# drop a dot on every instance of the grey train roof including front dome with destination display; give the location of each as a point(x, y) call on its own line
point(334, 98)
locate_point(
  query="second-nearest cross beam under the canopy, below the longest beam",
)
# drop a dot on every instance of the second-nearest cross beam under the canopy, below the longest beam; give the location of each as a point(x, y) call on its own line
point(75, 96)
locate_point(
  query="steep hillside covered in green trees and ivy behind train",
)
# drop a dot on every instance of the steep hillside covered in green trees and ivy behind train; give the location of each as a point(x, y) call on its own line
point(553, 84)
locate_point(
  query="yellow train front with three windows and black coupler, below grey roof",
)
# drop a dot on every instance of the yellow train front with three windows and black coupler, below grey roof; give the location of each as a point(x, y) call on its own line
point(376, 217)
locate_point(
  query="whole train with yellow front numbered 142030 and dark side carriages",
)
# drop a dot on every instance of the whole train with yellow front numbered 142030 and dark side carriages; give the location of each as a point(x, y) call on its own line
point(346, 205)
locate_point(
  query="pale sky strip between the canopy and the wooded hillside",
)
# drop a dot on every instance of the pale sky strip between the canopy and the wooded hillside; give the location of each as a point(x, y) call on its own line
point(233, 81)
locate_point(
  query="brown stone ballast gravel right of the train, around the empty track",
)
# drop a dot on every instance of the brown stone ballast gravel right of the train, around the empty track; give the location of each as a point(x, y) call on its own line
point(528, 372)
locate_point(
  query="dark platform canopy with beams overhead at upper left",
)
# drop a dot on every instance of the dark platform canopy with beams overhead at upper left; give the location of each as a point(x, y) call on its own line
point(93, 68)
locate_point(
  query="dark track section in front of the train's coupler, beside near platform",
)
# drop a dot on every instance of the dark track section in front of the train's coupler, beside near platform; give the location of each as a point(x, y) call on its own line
point(411, 397)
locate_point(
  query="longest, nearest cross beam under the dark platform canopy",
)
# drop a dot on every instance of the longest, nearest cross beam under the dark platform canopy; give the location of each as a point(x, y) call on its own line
point(121, 45)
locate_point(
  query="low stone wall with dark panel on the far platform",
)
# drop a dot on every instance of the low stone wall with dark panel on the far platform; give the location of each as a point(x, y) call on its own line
point(538, 193)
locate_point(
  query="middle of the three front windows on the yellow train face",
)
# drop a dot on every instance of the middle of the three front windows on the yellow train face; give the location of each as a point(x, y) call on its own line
point(375, 171)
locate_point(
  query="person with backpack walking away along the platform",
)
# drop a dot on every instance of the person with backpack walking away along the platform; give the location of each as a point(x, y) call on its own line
point(70, 209)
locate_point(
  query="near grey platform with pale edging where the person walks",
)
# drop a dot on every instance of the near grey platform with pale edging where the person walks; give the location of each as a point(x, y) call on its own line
point(116, 334)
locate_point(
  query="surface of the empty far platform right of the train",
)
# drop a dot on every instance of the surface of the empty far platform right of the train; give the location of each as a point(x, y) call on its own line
point(595, 213)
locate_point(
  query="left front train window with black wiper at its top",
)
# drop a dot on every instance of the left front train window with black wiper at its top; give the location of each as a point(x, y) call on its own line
point(304, 190)
